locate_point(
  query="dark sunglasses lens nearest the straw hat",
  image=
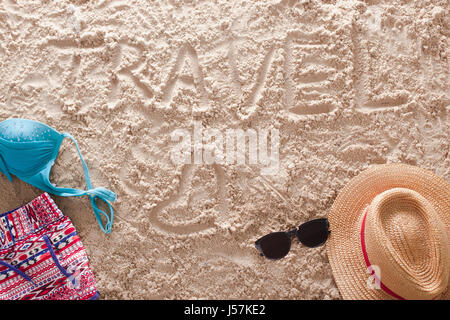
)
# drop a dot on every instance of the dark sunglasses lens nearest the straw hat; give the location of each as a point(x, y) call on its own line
point(313, 233)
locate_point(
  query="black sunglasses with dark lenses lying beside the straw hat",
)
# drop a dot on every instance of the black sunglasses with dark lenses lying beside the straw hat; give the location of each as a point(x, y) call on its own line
point(277, 245)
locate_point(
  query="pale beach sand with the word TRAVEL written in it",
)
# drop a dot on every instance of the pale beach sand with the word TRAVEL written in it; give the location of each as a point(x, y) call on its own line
point(347, 84)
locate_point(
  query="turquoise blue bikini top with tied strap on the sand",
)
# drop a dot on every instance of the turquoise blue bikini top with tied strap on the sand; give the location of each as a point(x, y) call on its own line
point(28, 150)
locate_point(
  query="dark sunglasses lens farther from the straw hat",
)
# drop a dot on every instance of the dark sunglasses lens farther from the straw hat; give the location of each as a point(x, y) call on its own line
point(274, 245)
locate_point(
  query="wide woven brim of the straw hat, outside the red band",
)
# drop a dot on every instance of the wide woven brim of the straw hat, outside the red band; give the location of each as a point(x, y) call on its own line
point(345, 218)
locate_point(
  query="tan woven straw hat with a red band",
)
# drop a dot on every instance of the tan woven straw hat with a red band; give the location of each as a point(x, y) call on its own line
point(394, 218)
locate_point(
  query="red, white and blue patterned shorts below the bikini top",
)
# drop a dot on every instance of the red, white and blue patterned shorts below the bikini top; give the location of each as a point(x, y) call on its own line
point(41, 255)
